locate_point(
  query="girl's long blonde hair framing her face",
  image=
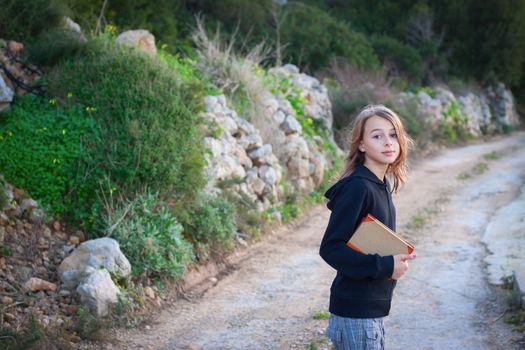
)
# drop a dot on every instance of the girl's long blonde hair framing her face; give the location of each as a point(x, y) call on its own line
point(398, 169)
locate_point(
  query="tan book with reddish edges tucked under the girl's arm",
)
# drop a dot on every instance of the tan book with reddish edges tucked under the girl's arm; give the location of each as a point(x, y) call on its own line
point(373, 237)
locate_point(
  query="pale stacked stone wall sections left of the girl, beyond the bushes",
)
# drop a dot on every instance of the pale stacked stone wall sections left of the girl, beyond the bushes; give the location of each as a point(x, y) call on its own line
point(239, 155)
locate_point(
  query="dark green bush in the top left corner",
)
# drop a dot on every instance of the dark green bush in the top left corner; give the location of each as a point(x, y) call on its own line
point(23, 20)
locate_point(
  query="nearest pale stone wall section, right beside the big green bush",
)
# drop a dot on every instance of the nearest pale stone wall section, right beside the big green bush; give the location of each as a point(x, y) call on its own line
point(238, 155)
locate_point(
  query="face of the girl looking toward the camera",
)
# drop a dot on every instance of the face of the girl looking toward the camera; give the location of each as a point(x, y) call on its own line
point(379, 143)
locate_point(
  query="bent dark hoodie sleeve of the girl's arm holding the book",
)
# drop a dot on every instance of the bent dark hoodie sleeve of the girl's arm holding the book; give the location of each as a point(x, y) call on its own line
point(346, 206)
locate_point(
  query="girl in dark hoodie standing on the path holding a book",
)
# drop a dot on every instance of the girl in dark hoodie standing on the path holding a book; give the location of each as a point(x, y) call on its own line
point(362, 289)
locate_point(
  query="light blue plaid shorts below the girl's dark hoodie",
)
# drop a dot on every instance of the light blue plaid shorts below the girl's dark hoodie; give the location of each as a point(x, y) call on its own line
point(356, 333)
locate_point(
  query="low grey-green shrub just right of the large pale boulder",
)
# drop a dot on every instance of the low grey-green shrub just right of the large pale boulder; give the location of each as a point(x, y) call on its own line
point(150, 237)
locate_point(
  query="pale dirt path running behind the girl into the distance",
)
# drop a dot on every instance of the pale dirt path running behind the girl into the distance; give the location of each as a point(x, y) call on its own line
point(444, 302)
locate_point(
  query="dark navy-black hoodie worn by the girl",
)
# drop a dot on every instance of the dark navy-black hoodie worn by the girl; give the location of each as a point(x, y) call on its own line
point(362, 287)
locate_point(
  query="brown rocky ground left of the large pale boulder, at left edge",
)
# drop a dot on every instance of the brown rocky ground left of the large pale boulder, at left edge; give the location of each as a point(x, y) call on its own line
point(31, 253)
